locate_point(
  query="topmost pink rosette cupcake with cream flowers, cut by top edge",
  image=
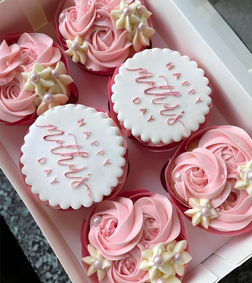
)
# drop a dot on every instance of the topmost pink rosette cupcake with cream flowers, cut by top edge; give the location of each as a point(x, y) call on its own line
point(99, 35)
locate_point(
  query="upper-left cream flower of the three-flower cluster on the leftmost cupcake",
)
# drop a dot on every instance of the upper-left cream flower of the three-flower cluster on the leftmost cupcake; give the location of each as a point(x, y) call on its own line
point(38, 79)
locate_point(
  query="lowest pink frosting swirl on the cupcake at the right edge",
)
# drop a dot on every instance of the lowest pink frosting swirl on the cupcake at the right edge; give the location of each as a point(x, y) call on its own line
point(235, 213)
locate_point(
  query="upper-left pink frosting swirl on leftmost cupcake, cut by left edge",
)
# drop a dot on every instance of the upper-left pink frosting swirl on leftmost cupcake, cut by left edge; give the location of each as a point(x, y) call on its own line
point(10, 59)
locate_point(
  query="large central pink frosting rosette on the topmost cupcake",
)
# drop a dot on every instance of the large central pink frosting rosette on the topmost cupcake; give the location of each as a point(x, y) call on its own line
point(108, 46)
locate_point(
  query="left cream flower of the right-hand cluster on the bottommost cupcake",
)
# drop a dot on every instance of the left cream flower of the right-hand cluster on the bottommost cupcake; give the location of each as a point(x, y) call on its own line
point(157, 262)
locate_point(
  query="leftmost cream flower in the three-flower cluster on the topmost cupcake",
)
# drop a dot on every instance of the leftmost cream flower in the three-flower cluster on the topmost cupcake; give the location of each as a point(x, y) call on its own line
point(126, 16)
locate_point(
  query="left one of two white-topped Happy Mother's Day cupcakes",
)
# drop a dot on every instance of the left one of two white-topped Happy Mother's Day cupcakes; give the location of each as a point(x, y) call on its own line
point(73, 156)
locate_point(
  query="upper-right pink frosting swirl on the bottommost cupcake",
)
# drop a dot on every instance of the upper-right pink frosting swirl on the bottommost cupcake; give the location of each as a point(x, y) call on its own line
point(161, 223)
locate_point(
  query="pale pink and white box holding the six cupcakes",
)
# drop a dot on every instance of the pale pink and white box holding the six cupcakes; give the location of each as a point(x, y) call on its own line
point(203, 42)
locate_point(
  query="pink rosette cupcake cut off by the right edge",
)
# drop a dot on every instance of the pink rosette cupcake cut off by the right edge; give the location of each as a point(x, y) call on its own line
point(210, 178)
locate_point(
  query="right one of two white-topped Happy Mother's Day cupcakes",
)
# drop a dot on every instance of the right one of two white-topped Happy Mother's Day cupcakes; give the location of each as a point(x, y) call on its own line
point(159, 98)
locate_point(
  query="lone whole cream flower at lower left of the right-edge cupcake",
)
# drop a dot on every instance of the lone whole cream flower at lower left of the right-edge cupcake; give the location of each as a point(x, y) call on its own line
point(201, 212)
